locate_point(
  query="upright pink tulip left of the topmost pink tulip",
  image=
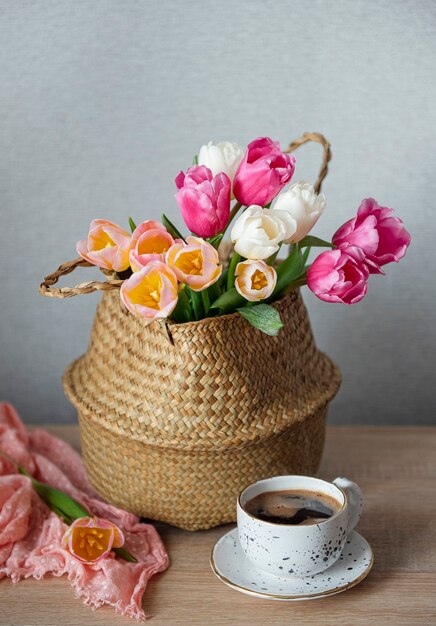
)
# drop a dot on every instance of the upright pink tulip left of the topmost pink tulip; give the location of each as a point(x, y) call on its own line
point(204, 200)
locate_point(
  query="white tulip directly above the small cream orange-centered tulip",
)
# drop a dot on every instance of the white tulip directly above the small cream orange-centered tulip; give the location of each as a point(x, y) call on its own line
point(258, 232)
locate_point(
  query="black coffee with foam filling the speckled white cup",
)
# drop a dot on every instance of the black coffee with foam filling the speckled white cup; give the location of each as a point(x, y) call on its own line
point(296, 507)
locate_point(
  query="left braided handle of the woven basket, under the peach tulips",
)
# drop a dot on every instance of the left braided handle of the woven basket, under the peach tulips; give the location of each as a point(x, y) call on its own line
point(46, 288)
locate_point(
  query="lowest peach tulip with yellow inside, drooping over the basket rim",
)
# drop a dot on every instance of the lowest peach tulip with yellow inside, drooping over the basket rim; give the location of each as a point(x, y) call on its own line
point(152, 292)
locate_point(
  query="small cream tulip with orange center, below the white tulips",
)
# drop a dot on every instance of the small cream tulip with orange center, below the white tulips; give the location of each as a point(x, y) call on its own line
point(255, 280)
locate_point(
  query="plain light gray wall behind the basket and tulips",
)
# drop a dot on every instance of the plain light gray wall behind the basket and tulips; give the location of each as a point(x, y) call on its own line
point(103, 102)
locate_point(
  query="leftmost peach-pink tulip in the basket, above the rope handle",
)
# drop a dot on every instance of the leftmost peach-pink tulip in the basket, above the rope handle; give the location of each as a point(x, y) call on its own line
point(107, 246)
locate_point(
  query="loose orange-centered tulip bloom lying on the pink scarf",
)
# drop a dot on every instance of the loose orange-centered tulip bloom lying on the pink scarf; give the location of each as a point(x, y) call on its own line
point(90, 539)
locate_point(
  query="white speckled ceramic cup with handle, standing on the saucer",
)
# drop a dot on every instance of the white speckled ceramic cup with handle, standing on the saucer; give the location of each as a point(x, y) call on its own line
point(287, 550)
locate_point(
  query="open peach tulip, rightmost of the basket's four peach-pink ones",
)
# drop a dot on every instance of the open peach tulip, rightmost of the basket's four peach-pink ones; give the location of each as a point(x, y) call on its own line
point(195, 263)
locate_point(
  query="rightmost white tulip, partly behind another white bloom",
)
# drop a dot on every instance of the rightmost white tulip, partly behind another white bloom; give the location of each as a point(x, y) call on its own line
point(302, 204)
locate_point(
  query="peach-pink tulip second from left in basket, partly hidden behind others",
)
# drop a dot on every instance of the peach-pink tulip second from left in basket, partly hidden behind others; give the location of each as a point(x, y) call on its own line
point(150, 241)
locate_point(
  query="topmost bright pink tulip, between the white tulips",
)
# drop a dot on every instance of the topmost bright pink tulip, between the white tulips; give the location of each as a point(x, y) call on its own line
point(262, 173)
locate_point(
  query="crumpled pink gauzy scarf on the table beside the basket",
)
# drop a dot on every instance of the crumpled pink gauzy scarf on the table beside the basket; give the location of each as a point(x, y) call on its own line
point(31, 534)
